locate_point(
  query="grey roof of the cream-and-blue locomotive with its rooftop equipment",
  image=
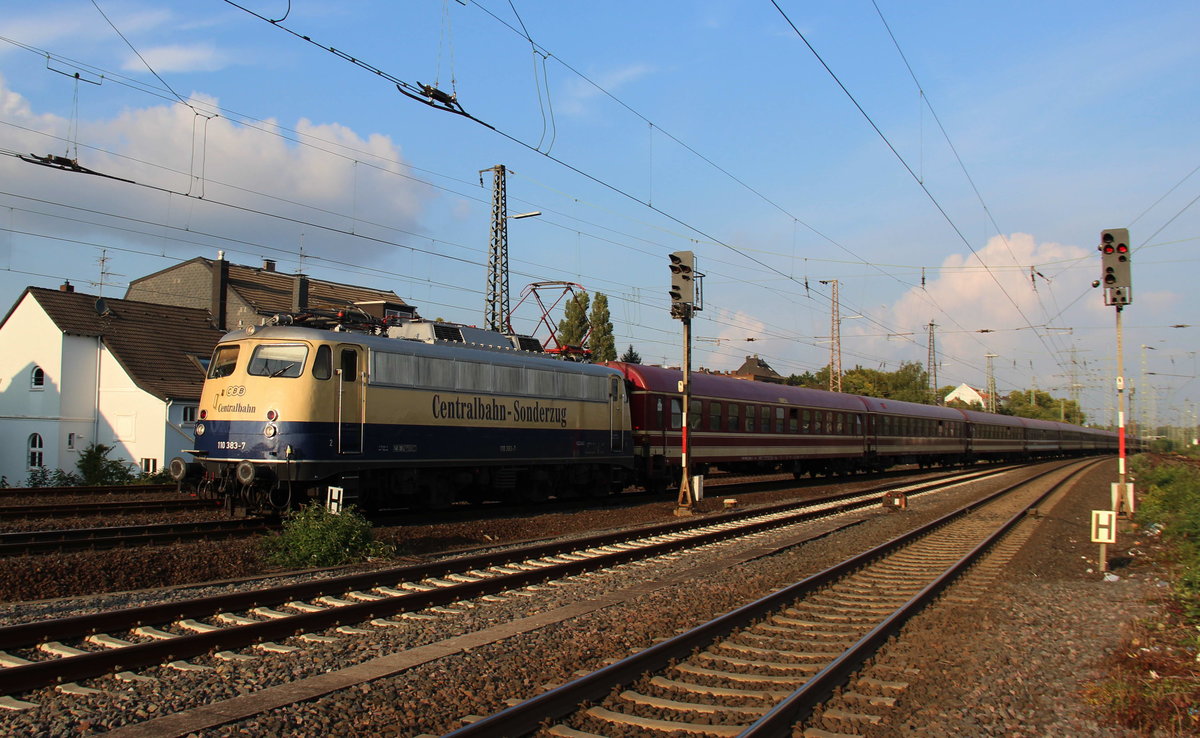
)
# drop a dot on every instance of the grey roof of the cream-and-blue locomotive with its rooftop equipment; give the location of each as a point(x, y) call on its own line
point(442, 350)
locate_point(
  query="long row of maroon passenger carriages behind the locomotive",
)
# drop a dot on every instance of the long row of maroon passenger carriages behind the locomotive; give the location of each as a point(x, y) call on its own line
point(755, 427)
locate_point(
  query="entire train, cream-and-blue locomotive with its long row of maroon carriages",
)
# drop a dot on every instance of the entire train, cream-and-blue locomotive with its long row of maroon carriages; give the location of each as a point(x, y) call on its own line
point(391, 412)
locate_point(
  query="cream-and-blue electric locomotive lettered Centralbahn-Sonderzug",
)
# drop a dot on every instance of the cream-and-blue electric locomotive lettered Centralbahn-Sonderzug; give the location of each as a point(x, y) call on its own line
point(404, 413)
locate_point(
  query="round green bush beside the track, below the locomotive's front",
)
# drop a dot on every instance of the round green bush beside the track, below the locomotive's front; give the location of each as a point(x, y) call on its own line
point(315, 537)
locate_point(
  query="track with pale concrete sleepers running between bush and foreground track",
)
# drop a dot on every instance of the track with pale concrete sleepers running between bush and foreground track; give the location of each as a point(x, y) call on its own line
point(68, 650)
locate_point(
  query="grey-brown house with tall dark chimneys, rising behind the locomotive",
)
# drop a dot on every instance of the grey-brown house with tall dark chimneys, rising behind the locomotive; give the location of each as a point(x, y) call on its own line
point(239, 296)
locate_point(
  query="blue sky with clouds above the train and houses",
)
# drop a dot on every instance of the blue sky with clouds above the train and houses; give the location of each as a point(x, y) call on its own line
point(944, 163)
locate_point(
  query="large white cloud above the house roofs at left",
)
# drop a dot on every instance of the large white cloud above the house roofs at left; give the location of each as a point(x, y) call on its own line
point(344, 182)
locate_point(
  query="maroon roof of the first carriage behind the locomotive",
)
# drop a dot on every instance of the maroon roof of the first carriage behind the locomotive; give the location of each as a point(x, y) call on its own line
point(659, 380)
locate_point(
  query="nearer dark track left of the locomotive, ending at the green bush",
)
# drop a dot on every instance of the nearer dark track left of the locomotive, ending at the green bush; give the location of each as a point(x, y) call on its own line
point(85, 539)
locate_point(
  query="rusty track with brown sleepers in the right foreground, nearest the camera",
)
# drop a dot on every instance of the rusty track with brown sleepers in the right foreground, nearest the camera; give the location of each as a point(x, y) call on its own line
point(770, 667)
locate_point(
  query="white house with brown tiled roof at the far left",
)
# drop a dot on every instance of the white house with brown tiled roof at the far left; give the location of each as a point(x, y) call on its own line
point(81, 370)
